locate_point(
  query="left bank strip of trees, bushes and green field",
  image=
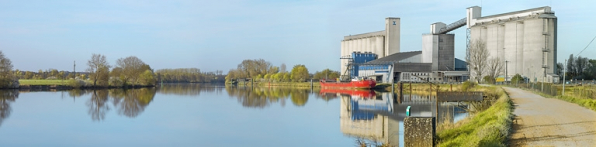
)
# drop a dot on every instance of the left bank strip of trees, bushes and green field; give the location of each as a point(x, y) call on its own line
point(128, 72)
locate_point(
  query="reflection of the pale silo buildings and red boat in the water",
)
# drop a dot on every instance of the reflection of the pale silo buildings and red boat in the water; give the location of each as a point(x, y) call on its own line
point(377, 117)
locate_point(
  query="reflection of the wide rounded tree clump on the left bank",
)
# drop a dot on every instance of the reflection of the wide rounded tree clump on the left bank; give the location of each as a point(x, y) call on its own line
point(132, 102)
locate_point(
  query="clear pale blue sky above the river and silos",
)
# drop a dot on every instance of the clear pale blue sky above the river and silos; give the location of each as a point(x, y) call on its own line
point(217, 35)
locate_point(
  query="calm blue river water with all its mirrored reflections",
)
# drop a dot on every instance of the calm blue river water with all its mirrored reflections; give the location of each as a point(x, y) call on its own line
point(209, 115)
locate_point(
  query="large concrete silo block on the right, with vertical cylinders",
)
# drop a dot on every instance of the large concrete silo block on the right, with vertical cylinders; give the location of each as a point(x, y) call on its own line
point(525, 40)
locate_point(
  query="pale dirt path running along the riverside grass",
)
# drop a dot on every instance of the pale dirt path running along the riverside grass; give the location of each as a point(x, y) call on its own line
point(543, 121)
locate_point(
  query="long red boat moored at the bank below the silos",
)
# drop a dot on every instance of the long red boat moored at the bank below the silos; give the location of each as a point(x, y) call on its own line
point(354, 84)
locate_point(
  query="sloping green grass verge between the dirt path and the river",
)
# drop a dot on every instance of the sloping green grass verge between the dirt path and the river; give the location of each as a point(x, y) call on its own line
point(487, 128)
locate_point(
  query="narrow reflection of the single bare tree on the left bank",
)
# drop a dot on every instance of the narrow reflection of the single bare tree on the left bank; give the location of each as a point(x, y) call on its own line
point(98, 104)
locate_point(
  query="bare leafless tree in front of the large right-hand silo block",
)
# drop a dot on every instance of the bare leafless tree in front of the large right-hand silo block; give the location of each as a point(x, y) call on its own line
point(477, 59)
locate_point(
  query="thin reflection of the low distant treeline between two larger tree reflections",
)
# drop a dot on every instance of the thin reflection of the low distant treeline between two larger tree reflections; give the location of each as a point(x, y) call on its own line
point(186, 89)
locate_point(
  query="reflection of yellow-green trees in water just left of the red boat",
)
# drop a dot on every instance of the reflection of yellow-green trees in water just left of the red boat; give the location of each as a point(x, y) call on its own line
point(263, 97)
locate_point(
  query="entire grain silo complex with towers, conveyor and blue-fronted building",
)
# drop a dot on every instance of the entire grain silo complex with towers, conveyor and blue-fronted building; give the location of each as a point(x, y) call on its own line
point(524, 40)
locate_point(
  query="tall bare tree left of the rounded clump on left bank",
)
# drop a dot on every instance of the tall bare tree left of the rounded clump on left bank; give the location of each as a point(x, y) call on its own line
point(97, 69)
